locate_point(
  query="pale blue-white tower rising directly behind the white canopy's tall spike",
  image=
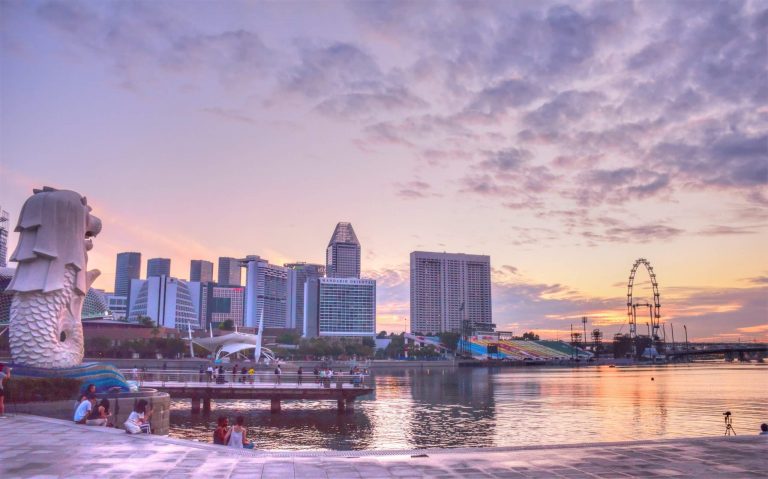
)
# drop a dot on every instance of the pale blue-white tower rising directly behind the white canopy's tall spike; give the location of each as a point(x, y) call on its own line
point(266, 290)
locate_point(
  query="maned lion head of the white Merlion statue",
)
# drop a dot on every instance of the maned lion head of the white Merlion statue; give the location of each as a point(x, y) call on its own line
point(55, 230)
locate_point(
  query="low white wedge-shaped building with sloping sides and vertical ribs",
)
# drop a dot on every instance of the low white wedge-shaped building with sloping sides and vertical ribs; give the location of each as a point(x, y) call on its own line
point(170, 302)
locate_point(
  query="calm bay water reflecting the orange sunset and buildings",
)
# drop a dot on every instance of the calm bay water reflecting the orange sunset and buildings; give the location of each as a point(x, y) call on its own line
point(479, 407)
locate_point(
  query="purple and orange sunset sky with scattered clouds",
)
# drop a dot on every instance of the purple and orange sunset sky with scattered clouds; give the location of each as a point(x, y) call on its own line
point(564, 139)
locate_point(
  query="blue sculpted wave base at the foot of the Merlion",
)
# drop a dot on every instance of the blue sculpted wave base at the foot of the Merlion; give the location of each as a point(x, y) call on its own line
point(105, 377)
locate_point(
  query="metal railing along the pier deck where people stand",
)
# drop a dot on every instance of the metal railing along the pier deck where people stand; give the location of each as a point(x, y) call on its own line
point(257, 380)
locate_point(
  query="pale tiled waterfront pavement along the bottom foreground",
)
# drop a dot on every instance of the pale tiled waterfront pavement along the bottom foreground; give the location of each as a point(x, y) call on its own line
point(32, 446)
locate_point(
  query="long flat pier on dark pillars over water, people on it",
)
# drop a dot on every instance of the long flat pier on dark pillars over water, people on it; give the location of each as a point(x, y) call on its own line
point(343, 388)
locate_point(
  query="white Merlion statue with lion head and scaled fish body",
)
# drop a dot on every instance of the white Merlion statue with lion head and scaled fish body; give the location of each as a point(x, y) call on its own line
point(55, 230)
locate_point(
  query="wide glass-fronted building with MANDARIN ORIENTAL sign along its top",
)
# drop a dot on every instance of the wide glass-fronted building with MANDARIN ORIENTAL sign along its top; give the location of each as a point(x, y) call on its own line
point(340, 307)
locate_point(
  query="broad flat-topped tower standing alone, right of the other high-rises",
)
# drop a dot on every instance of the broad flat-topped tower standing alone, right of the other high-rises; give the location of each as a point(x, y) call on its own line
point(447, 288)
